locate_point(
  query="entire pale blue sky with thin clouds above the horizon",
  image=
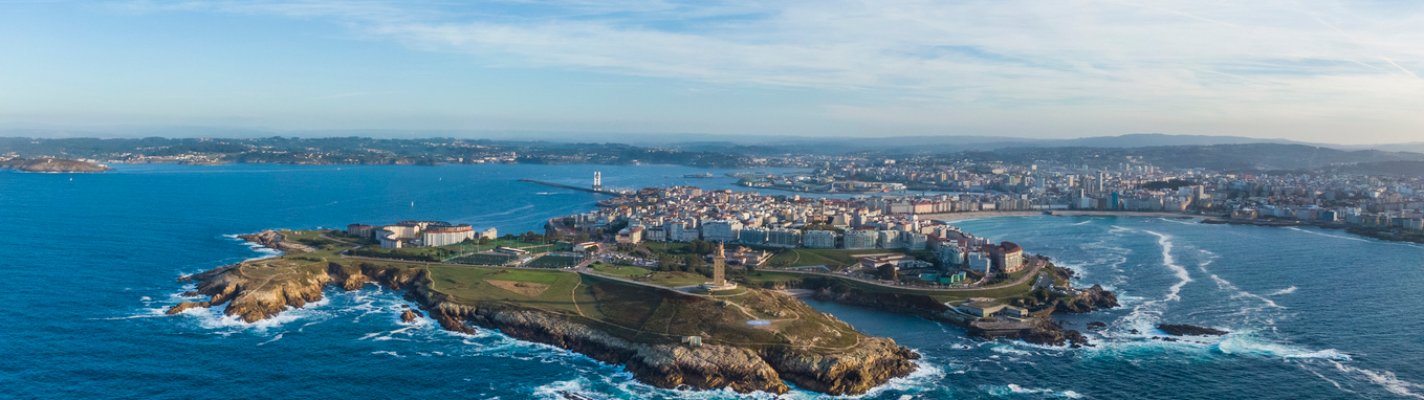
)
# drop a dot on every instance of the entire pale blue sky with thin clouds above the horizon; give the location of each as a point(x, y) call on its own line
point(1324, 72)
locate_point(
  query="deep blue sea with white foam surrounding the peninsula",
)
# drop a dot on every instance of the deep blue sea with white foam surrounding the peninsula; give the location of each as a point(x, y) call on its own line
point(89, 264)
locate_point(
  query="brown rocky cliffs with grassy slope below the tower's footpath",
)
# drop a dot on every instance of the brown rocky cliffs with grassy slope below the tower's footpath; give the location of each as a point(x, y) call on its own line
point(646, 330)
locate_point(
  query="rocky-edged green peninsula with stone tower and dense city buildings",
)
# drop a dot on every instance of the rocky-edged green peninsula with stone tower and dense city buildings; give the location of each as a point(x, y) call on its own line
point(649, 283)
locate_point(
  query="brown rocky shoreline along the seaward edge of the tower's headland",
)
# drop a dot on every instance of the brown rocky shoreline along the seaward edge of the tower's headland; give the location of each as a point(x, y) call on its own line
point(251, 295)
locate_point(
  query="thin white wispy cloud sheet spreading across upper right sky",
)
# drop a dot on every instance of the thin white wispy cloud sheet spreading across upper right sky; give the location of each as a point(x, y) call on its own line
point(926, 65)
